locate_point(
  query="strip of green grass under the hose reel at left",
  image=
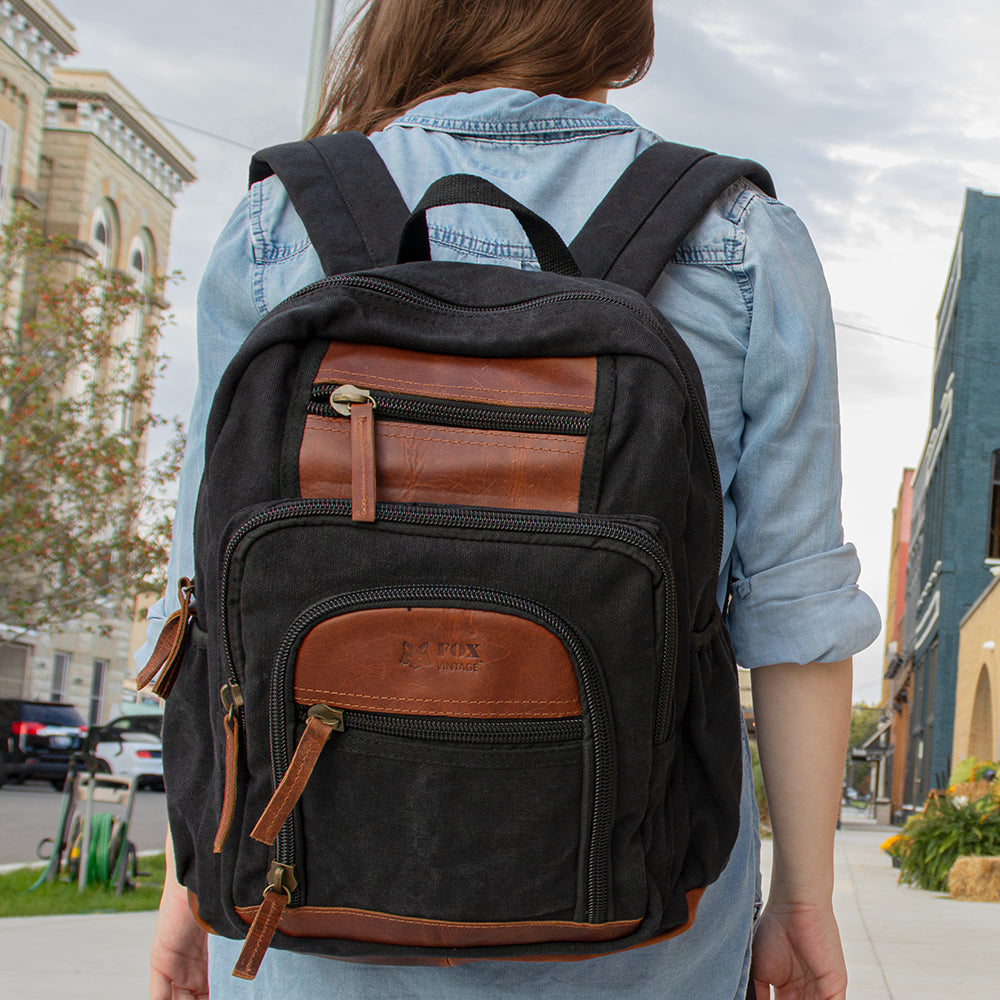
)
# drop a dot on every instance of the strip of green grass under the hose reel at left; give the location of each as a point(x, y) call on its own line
point(62, 897)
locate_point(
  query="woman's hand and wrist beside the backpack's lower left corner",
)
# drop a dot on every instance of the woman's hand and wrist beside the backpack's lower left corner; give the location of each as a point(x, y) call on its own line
point(178, 958)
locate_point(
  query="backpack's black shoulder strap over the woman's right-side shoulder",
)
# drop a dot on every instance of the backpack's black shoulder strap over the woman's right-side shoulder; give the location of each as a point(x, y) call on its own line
point(659, 198)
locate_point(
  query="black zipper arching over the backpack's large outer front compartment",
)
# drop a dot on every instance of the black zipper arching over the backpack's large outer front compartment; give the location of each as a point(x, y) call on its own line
point(484, 519)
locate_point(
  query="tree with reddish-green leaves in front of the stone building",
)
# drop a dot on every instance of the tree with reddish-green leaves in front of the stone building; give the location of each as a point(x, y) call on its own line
point(84, 522)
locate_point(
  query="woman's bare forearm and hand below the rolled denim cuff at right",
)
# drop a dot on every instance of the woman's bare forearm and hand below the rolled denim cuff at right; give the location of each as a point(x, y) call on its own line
point(802, 714)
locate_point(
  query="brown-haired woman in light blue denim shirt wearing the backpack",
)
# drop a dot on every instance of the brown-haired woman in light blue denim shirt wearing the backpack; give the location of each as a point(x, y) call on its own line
point(515, 91)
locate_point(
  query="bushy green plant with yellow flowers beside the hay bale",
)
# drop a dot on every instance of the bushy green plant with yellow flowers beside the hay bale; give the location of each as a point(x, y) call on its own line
point(945, 830)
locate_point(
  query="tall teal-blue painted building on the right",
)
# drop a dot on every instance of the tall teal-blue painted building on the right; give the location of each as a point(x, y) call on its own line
point(955, 533)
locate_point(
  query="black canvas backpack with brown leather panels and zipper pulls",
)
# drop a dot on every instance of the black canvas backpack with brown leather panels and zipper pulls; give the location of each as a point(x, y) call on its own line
point(452, 682)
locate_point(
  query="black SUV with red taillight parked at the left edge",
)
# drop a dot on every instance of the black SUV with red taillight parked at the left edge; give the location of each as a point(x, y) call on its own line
point(37, 739)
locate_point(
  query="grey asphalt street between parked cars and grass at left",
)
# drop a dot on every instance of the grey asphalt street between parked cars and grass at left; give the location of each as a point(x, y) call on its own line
point(29, 812)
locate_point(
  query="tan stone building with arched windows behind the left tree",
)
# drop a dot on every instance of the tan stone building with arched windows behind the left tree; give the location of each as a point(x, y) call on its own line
point(93, 165)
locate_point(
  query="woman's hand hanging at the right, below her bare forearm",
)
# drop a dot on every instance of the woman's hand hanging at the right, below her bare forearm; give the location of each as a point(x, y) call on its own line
point(796, 949)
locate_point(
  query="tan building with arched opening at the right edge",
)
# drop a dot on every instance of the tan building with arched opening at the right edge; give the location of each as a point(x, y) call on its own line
point(977, 690)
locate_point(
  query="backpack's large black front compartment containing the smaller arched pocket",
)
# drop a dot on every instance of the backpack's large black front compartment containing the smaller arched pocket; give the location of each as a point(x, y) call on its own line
point(478, 584)
